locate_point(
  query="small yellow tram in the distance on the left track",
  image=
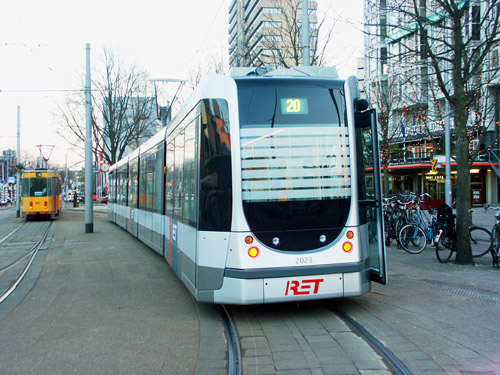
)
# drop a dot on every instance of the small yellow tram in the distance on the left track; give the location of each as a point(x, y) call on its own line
point(41, 193)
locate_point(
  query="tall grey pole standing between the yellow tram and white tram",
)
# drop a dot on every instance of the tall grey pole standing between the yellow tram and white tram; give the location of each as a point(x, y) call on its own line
point(89, 220)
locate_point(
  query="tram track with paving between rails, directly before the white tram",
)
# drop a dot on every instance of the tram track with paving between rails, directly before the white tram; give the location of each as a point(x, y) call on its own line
point(310, 335)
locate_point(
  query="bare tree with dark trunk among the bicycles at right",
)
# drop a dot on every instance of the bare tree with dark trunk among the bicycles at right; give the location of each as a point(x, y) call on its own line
point(448, 43)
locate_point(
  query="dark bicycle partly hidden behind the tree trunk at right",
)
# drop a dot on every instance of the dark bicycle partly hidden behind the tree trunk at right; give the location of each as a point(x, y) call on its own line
point(446, 243)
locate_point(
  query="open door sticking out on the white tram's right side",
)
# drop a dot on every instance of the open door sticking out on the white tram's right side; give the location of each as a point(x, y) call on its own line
point(370, 188)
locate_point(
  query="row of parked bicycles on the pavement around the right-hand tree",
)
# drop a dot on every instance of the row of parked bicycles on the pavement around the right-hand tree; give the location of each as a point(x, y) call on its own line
point(414, 225)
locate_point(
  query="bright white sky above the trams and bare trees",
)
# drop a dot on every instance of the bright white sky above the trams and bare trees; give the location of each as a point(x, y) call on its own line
point(42, 54)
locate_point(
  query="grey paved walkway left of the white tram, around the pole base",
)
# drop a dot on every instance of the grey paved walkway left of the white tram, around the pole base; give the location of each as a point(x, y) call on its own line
point(100, 306)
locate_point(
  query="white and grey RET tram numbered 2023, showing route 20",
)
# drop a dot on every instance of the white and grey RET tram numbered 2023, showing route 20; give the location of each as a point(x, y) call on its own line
point(264, 188)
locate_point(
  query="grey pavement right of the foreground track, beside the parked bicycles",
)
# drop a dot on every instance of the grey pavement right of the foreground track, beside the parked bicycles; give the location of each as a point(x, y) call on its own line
point(437, 318)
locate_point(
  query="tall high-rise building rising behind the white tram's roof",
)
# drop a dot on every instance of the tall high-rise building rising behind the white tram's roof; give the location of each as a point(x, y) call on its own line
point(265, 32)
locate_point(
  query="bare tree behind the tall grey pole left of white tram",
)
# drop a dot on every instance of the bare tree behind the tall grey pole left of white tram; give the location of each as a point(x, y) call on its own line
point(124, 113)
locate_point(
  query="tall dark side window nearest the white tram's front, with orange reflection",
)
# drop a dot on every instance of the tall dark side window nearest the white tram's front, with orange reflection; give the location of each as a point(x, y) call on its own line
point(215, 167)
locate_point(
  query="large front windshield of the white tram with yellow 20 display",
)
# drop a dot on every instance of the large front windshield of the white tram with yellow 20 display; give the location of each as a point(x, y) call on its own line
point(296, 173)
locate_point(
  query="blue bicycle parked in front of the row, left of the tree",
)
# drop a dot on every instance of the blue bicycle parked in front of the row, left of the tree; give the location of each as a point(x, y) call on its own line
point(415, 236)
